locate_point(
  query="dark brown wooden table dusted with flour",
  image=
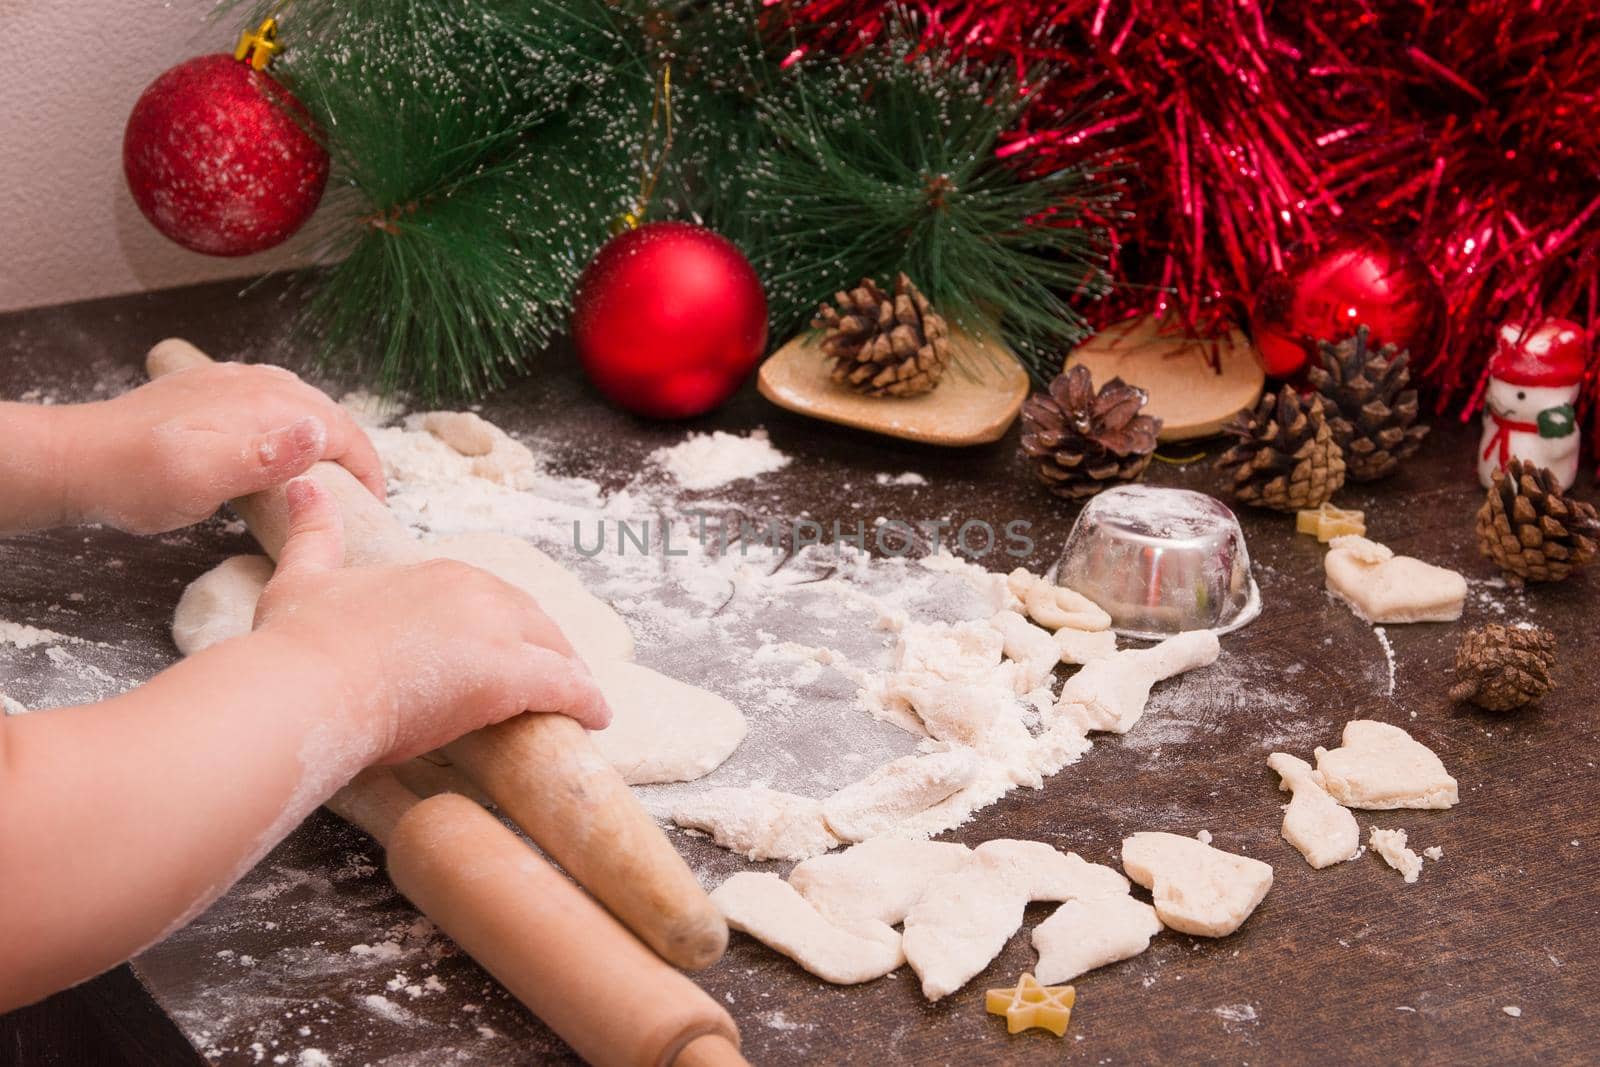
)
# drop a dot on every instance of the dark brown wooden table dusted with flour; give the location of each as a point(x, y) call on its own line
point(1343, 965)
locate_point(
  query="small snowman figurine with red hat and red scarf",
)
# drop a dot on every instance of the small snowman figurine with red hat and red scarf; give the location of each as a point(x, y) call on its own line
point(1529, 406)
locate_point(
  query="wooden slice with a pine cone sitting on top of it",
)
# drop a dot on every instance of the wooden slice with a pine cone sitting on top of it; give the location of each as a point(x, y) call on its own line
point(975, 402)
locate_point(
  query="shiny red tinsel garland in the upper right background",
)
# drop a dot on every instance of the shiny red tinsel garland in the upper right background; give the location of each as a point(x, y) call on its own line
point(1468, 130)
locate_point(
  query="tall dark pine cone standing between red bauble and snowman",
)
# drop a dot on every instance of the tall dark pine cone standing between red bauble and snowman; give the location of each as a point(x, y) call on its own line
point(1372, 412)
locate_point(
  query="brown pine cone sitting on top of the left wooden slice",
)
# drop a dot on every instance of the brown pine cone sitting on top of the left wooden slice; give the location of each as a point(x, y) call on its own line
point(881, 345)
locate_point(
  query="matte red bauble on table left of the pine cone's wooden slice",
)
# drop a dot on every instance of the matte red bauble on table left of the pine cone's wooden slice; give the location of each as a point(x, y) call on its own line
point(670, 319)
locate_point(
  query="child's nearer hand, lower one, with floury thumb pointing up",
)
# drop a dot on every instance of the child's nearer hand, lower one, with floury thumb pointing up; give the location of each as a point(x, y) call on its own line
point(426, 652)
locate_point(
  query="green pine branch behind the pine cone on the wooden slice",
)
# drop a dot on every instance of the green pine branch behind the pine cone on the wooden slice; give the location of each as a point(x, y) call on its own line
point(834, 170)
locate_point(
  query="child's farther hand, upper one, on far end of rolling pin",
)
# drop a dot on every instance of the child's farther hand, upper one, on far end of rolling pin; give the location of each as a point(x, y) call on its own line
point(170, 454)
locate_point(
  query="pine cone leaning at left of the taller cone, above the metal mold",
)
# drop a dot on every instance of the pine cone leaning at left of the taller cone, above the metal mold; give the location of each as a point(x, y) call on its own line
point(1286, 457)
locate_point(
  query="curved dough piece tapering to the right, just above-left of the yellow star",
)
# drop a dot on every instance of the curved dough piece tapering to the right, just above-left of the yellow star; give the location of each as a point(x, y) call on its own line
point(966, 919)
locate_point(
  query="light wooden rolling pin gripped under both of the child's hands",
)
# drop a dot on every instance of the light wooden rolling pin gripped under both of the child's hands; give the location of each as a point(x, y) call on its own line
point(540, 770)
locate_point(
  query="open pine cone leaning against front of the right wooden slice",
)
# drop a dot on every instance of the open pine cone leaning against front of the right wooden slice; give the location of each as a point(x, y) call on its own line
point(1081, 442)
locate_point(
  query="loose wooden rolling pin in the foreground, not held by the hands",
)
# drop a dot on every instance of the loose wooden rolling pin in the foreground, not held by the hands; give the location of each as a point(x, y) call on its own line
point(553, 948)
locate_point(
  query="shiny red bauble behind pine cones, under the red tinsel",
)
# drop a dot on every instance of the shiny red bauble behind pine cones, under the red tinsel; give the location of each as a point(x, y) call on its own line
point(1353, 281)
